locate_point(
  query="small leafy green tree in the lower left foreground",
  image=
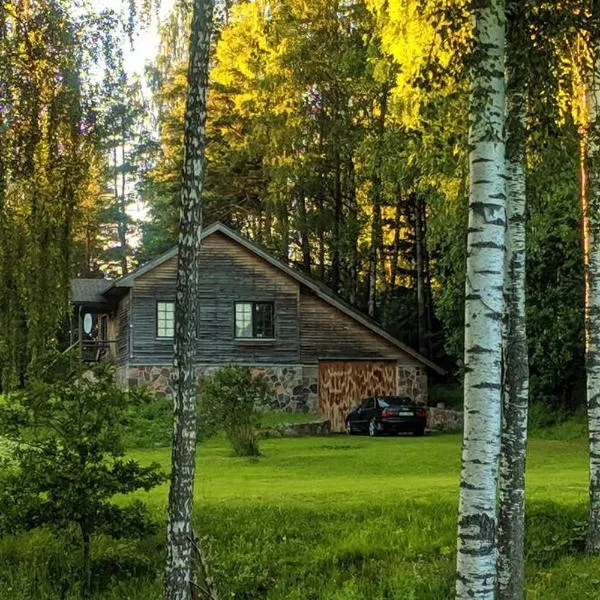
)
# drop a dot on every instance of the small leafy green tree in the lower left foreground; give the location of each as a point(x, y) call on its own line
point(68, 462)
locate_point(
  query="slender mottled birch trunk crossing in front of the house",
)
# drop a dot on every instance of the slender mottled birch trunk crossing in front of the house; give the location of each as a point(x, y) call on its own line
point(178, 576)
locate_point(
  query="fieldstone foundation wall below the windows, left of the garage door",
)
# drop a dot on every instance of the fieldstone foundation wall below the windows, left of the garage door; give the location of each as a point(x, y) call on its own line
point(295, 387)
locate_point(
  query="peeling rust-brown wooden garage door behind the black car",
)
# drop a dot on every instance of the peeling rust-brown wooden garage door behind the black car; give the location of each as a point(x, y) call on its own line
point(343, 384)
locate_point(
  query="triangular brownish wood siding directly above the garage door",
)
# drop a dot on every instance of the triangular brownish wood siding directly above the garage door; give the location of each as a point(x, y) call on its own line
point(327, 332)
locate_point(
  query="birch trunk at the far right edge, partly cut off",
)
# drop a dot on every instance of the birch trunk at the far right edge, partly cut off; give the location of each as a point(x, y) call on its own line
point(590, 197)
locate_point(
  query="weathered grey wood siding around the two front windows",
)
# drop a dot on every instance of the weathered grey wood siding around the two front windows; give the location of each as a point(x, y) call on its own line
point(229, 273)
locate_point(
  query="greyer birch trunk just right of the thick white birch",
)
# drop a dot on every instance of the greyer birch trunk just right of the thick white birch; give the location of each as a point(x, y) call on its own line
point(511, 517)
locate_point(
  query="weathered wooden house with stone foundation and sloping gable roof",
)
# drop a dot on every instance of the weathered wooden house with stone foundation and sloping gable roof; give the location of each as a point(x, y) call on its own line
point(318, 352)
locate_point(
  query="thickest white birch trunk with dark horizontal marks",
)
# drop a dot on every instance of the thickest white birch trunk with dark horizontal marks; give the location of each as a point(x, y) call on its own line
point(476, 555)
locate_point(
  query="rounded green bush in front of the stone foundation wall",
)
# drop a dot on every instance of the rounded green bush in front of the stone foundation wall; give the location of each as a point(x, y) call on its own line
point(228, 402)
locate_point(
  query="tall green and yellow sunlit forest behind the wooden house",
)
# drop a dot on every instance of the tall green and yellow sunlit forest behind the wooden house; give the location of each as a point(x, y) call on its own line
point(338, 141)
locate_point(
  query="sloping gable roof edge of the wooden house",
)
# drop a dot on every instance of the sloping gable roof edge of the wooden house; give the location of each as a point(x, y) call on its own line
point(317, 288)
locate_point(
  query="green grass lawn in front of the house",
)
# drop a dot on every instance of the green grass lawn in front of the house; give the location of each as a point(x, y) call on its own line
point(332, 518)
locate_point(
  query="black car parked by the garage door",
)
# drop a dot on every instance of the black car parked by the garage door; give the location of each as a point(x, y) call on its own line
point(387, 414)
